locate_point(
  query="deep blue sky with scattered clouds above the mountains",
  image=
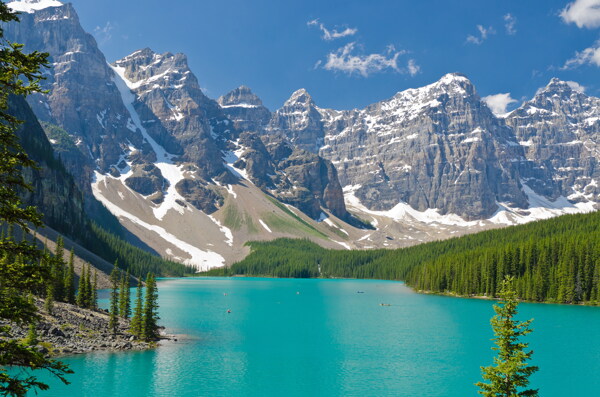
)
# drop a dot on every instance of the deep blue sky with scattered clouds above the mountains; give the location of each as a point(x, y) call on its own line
point(352, 53)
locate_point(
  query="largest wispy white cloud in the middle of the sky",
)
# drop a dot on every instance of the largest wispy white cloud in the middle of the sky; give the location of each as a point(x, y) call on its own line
point(345, 60)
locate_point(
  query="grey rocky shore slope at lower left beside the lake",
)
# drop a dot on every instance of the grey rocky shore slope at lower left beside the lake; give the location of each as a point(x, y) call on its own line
point(72, 330)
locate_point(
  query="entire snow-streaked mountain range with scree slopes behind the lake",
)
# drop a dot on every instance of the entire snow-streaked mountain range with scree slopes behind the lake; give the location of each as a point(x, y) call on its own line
point(196, 178)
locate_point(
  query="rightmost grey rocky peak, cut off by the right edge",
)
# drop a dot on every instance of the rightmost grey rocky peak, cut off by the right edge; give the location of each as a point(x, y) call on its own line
point(560, 129)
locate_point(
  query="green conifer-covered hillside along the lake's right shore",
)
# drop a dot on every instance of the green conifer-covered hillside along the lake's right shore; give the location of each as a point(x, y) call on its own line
point(556, 260)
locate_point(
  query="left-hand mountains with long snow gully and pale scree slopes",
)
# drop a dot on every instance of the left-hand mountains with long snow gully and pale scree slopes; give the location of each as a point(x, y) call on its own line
point(165, 159)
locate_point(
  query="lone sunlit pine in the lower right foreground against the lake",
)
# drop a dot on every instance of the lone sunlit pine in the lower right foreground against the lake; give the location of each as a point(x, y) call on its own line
point(510, 371)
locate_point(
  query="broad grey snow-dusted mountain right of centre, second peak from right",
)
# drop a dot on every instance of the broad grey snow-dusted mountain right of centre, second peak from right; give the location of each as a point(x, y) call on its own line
point(434, 147)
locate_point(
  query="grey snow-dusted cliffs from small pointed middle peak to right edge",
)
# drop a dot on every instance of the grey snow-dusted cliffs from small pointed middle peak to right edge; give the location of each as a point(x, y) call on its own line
point(440, 147)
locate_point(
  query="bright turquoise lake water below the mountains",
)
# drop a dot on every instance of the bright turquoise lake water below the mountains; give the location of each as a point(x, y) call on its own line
point(290, 337)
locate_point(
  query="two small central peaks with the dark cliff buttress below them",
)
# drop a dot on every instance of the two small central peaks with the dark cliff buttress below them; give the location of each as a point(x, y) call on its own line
point(279, 151)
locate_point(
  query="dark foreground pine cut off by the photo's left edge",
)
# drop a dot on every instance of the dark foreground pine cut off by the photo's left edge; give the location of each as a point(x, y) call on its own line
point(20, 274)
